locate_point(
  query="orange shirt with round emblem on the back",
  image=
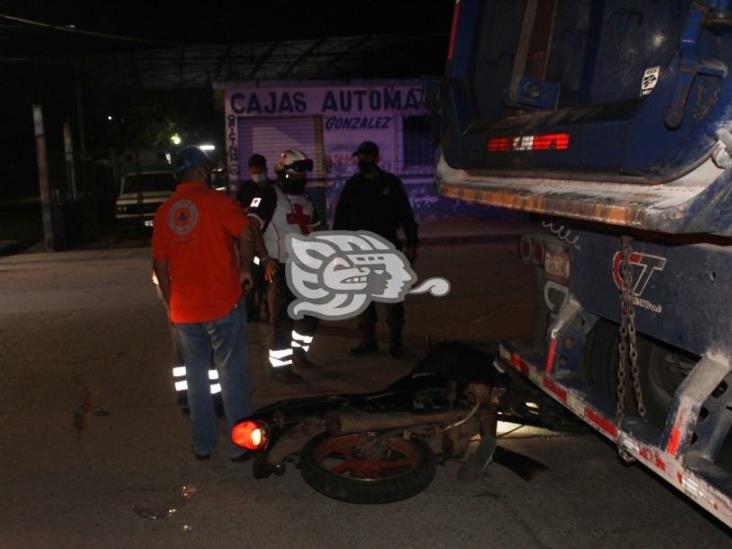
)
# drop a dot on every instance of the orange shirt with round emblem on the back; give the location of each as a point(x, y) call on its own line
point(194, 232)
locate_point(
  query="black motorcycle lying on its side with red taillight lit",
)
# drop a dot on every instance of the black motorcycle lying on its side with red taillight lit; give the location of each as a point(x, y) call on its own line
point(383, 447)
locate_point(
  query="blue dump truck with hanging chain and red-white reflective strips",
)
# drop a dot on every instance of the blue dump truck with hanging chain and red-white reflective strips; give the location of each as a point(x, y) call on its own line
point(611, 120)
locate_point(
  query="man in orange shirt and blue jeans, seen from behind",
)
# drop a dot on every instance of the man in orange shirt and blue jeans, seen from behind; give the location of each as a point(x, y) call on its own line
point(201, 280)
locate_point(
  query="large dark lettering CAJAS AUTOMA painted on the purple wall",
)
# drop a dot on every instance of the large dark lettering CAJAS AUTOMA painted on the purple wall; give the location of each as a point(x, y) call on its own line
point(275, 102)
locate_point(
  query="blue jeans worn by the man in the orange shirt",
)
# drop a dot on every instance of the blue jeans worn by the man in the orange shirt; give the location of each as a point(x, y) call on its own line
point(226, 339)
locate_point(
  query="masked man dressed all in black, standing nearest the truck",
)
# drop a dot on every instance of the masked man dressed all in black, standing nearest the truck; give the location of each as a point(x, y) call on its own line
point(375, 200)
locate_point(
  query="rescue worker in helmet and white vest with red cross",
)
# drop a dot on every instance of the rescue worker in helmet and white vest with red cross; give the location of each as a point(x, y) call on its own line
point(281, 209)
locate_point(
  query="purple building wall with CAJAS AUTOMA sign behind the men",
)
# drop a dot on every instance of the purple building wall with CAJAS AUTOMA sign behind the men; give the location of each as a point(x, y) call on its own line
point(328, 120)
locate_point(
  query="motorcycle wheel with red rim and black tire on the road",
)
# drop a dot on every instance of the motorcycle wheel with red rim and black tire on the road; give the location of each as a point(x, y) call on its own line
point(328, 464)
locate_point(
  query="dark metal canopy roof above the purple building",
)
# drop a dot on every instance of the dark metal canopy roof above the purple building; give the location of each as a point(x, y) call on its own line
point(365, 56)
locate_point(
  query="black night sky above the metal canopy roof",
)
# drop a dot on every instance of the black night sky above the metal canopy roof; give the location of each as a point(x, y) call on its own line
point(215, 22)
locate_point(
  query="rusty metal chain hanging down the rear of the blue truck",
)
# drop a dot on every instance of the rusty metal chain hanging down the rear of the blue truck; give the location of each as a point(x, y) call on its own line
point(627, 346)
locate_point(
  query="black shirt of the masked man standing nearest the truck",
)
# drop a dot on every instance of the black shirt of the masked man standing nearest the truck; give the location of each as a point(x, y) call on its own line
point(379, 205)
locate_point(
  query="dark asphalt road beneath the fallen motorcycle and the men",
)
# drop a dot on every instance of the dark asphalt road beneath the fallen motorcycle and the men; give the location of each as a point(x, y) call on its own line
point(89, 430)
